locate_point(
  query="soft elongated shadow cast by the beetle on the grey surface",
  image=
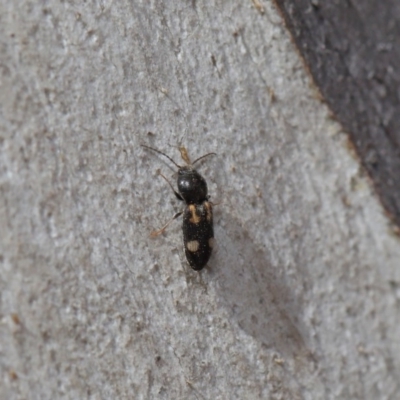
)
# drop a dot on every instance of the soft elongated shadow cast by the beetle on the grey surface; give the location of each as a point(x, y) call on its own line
point(257, 297)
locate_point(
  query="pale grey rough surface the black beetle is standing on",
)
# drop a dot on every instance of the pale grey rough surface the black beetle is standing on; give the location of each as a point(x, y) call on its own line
point(301, 299)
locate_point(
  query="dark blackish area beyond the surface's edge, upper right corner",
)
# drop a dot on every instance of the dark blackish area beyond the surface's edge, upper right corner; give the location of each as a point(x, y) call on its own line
point(352, 50)
